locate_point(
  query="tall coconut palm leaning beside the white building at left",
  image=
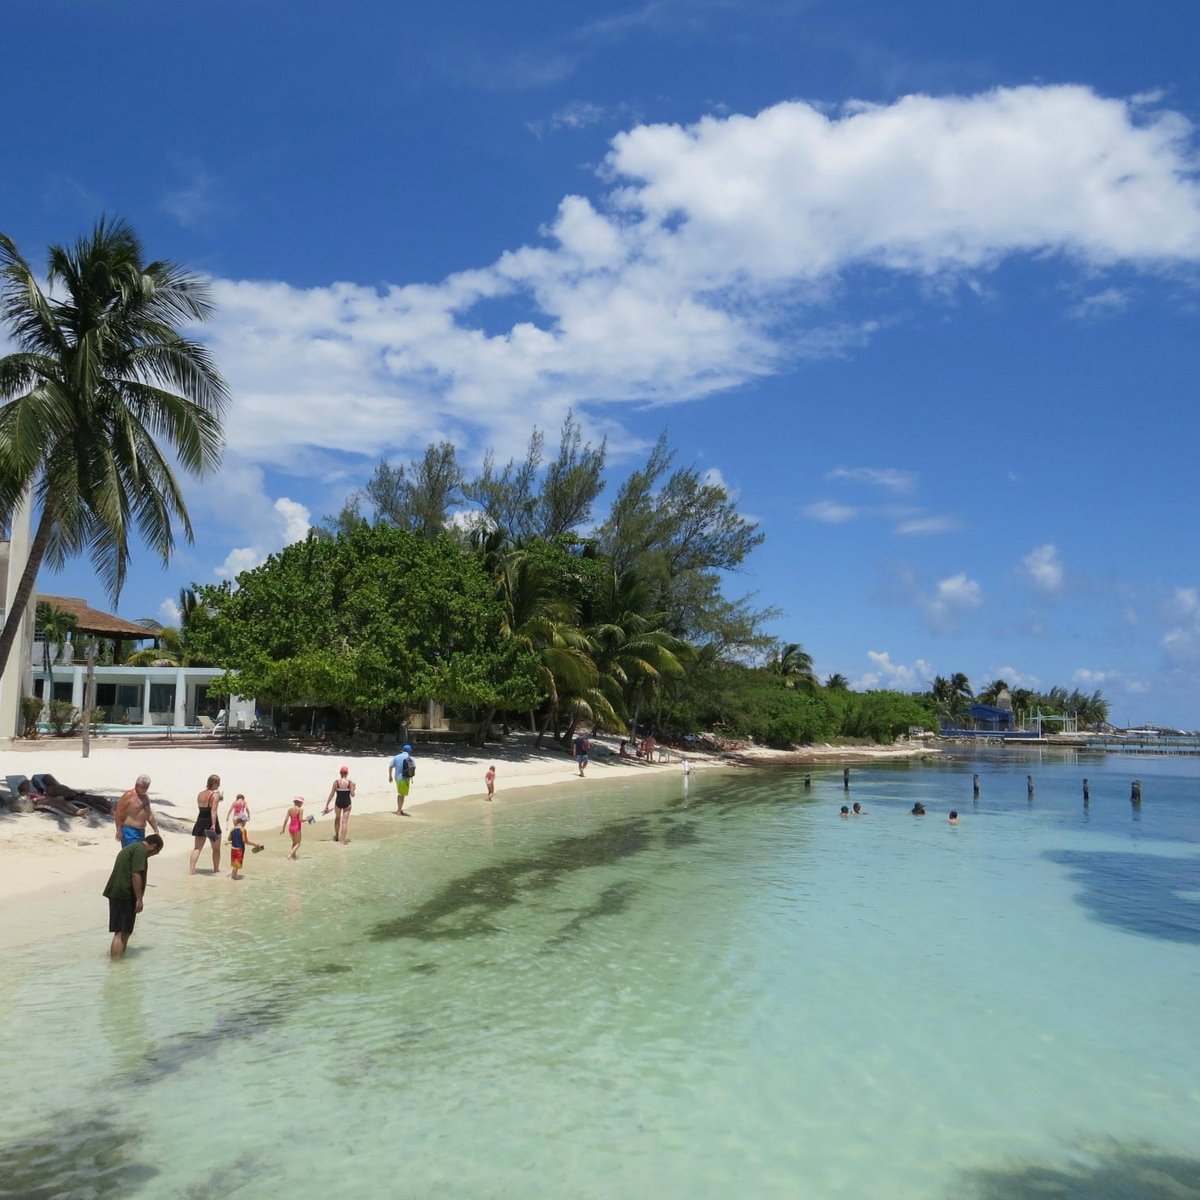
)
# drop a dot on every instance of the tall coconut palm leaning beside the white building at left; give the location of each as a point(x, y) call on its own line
point(103, 392)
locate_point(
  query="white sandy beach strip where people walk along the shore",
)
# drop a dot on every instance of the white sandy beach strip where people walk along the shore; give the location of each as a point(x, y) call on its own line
point(53, 869)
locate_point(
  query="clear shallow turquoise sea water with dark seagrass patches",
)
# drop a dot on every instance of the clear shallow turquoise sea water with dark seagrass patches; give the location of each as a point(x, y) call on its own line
point(650, 991)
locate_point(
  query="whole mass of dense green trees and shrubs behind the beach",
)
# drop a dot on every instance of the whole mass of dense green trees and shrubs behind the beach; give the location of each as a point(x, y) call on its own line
point(483, 595)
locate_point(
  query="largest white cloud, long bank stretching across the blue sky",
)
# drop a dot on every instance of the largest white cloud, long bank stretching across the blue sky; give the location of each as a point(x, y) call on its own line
point(685, 274)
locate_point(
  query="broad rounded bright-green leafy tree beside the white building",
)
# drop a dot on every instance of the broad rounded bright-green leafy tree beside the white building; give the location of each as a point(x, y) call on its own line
point(373, 623)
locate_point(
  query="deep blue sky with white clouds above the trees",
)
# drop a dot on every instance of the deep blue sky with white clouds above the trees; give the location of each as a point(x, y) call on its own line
point(919, 281)
